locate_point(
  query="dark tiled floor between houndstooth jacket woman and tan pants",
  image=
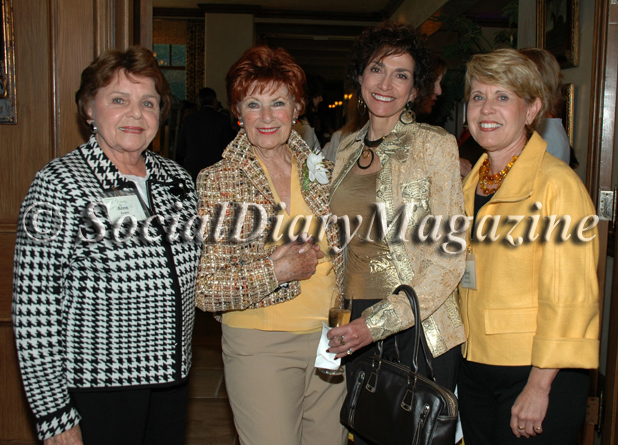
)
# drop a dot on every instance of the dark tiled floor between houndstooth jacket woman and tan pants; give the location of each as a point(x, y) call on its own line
point(209, 419)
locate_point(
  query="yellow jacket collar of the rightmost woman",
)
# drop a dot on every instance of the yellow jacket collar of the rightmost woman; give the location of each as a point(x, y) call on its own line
point(519, 183)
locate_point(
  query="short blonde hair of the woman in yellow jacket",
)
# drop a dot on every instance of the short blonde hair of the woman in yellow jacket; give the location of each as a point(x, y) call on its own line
point(513, 71)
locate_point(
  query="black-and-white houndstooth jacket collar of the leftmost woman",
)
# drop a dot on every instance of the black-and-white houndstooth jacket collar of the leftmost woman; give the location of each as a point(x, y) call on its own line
point(108, 174)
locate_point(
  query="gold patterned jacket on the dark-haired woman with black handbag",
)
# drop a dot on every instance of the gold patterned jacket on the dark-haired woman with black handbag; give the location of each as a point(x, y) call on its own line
point(420, 166)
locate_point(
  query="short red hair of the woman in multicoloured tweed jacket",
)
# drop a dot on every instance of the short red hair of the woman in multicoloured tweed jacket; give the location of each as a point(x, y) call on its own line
point(261, 67)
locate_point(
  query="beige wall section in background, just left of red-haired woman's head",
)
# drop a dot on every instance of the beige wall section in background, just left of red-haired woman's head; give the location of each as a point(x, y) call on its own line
point(227, 37)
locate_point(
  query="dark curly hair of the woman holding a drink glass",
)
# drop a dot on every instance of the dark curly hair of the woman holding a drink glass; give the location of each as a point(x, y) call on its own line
point(390, 38)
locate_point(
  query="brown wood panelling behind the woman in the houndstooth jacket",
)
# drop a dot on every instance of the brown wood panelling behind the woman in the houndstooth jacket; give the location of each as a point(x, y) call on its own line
point(54, 40)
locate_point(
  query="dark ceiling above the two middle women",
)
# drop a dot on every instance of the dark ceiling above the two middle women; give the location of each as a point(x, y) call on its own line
point(319, 33)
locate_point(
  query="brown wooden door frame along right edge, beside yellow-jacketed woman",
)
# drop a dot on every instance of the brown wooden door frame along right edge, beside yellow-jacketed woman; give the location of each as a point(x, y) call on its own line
point(599, 180)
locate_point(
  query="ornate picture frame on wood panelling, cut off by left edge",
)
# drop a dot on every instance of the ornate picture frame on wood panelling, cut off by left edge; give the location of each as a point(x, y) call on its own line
point(8, 90)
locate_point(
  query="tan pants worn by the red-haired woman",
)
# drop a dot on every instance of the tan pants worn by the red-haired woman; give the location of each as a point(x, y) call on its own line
point(277, 396)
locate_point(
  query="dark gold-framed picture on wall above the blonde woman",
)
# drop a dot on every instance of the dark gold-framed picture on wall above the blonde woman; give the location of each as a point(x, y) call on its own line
point(557, 23)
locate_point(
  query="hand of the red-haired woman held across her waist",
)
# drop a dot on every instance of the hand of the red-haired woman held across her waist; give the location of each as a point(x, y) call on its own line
point(296, 260)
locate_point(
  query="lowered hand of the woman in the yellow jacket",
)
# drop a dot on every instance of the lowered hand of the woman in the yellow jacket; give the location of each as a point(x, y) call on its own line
point(530, 408)
